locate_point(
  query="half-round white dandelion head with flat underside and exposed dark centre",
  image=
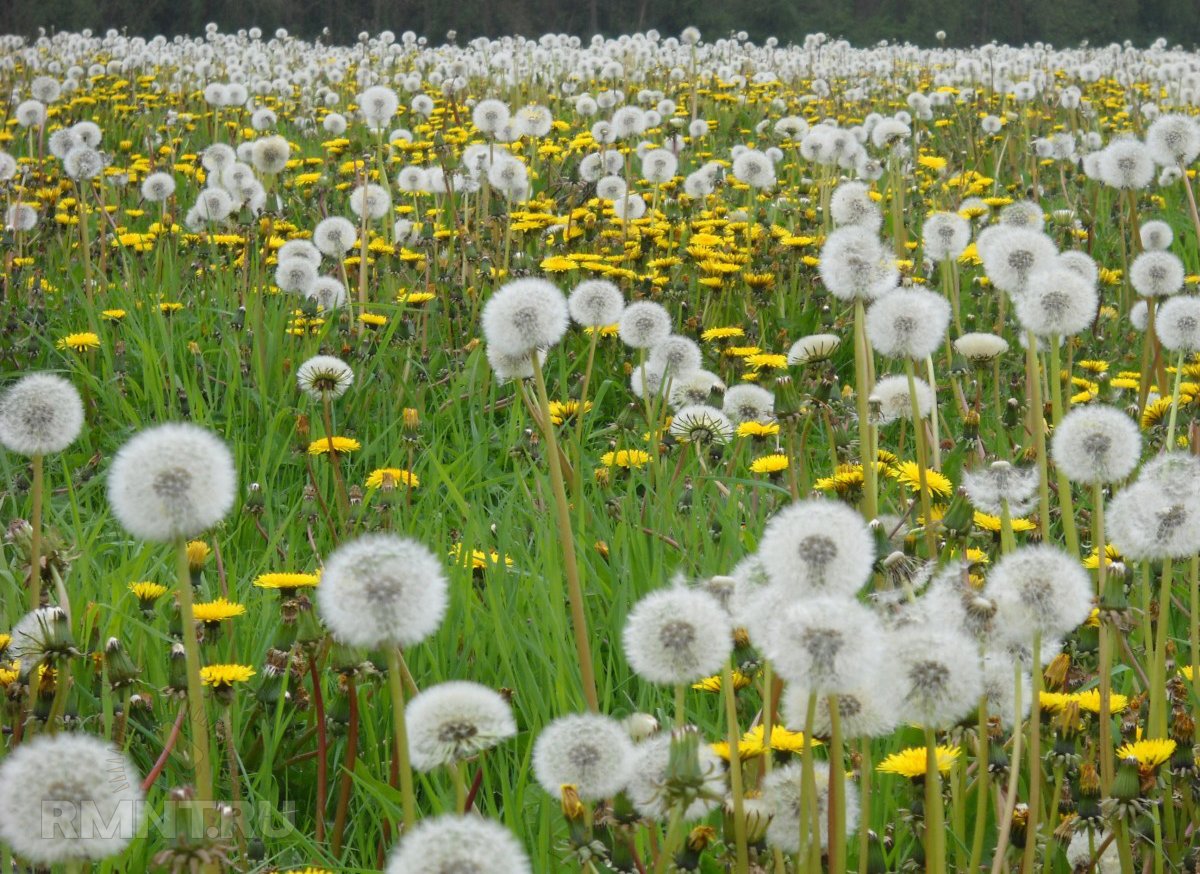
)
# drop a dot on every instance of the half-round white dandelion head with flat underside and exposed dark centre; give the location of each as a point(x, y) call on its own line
point(455, 721)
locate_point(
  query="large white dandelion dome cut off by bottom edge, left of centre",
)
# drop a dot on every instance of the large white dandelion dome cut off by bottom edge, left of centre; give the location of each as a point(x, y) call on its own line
point(465, 843)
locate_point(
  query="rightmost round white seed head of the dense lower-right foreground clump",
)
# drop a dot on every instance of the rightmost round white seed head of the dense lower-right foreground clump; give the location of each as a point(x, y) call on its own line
point(1040, 590)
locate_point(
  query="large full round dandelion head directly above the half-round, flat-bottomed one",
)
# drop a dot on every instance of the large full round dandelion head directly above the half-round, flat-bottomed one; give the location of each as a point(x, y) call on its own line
point(382, 590)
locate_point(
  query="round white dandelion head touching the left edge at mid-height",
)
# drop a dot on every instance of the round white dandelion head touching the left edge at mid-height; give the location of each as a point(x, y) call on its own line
point(40, 415)
